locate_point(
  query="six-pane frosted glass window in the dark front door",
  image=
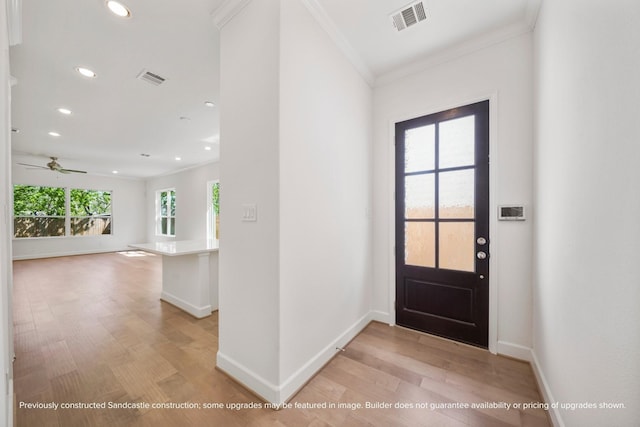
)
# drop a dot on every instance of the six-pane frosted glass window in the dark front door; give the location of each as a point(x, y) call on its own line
point(439, 197)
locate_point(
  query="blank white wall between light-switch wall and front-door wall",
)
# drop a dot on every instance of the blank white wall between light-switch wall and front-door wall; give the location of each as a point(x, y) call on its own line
point(325, 196)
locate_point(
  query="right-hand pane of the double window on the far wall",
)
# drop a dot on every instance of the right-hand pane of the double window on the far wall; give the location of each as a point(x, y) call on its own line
point(90, 212)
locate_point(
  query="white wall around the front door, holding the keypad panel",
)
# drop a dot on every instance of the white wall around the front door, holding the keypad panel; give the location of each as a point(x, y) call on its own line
point(503, 73)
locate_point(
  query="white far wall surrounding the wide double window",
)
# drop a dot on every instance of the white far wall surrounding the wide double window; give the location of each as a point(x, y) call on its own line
point(128, 215)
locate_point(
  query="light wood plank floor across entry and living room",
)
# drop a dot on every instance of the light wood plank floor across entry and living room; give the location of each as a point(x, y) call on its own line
point(91, 329)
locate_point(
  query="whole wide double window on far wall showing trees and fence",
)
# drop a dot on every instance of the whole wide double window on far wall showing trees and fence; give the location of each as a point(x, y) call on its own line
point(44, 212)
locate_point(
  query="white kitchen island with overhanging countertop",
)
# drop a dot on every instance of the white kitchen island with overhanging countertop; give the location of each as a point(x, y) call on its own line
point(189, 274)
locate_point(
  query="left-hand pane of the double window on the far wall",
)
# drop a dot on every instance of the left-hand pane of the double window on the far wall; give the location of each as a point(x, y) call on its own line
point(38, 211)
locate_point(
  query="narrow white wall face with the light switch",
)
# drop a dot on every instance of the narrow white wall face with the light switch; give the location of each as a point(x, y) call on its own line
point(249, 328)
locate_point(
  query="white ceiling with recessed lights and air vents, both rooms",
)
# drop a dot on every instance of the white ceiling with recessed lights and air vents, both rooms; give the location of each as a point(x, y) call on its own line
point(121, 123)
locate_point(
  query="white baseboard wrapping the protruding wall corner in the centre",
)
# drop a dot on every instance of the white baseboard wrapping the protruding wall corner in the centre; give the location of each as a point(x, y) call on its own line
point(278, 394)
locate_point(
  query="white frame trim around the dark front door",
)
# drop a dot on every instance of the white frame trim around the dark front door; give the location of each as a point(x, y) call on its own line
point(493, 220)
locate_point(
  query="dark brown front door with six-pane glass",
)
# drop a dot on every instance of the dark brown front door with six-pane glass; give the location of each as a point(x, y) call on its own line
point(442, 223)
